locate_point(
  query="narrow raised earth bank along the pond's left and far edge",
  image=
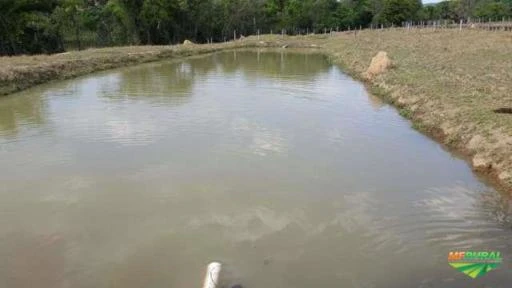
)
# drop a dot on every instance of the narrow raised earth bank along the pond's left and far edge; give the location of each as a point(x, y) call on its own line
point(22, 72)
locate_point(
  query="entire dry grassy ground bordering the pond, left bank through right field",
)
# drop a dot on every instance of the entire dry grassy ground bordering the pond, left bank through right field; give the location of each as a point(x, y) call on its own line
point(447, 82)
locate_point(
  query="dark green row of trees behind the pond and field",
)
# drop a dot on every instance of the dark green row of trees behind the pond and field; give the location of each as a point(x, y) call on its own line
point(48, 26)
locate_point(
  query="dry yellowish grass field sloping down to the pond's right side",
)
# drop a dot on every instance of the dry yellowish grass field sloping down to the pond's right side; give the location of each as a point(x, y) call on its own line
point(448, 83)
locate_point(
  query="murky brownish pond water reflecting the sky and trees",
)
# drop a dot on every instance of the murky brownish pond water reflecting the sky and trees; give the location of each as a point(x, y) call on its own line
point(276, 164)
